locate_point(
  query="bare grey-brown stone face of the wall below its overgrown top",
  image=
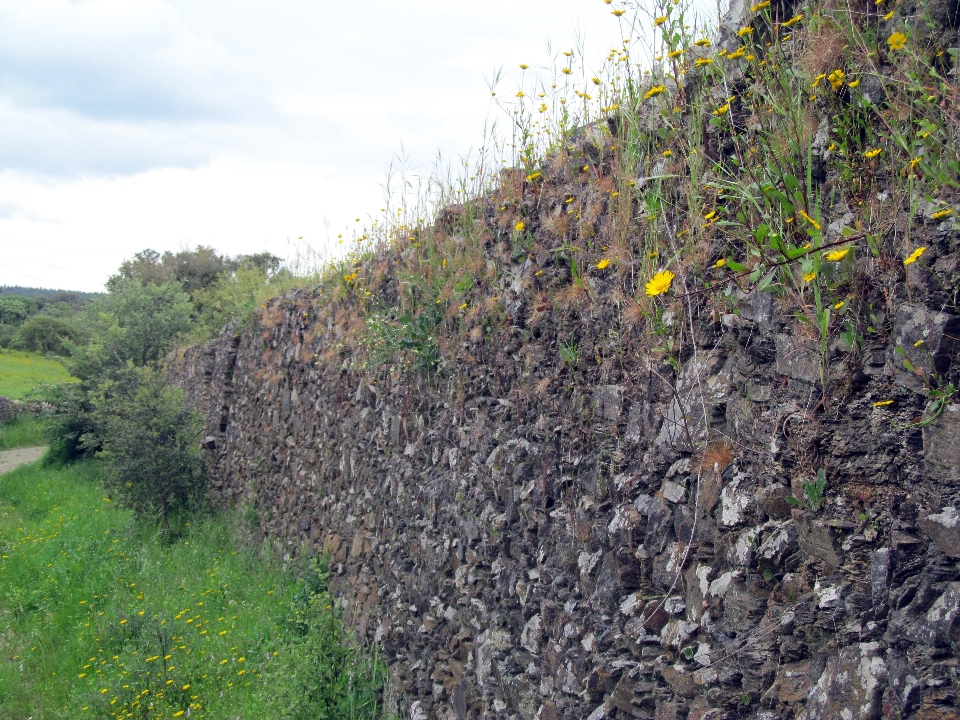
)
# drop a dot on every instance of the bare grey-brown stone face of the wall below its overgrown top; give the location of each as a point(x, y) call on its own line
point(524, 540)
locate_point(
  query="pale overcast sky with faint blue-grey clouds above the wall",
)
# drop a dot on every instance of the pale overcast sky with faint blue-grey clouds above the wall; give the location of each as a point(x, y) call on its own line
point(127, 124)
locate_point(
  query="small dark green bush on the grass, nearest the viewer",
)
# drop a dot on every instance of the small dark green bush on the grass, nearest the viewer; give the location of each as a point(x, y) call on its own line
point(149, 445)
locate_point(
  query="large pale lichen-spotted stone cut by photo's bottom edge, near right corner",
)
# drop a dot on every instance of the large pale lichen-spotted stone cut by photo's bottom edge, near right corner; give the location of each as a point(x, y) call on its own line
point(851, 685)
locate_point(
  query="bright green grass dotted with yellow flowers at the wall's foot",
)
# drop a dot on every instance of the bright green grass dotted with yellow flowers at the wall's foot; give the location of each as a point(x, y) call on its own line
point(101, 620)
